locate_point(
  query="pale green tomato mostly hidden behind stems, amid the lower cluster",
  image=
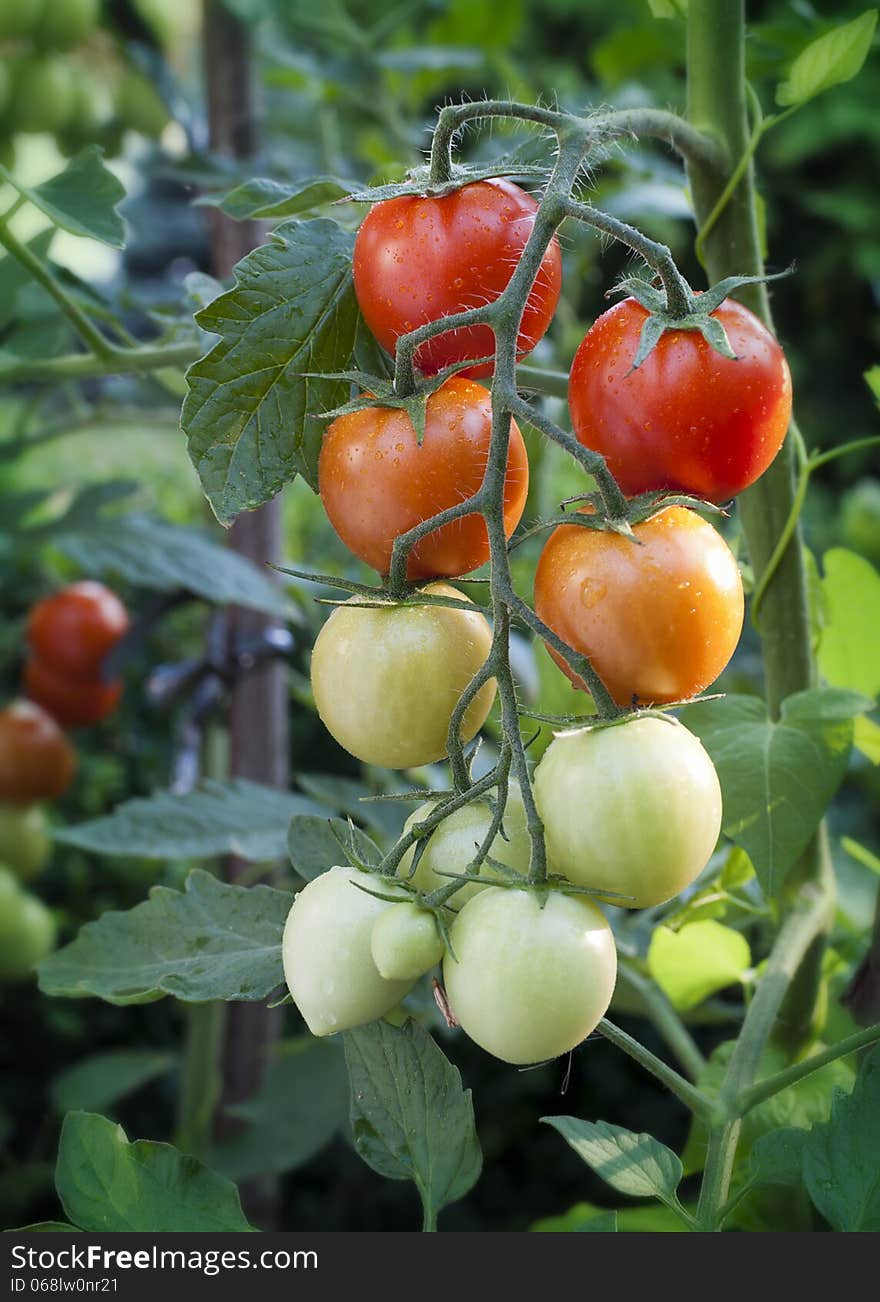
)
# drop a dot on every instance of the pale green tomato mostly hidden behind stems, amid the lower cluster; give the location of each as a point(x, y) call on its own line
point(452, 846)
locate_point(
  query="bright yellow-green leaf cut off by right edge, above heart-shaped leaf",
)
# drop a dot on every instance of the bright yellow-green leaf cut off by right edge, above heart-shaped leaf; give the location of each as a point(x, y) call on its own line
point(848, 652)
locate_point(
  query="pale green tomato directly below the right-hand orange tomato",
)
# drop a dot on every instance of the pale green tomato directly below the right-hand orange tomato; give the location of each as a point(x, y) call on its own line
point(635, 810)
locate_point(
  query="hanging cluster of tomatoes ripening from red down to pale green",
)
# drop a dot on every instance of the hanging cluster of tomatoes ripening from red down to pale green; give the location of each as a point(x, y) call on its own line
point(632, 808)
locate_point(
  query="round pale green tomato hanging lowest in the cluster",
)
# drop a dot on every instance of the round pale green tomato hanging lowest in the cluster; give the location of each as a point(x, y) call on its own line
point(530, 977)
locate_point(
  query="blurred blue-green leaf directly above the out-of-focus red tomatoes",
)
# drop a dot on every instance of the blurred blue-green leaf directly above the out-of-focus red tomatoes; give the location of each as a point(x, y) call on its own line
point(157, 555)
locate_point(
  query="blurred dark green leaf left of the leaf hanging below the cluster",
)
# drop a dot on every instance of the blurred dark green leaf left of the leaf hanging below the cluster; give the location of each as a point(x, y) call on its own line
point(303, 1103)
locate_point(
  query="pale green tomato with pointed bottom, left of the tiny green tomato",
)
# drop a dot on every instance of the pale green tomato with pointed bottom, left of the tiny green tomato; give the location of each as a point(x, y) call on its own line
point(326, 951)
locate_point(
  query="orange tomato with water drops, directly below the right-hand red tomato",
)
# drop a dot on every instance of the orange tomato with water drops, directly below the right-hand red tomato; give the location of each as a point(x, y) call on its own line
point(658, 618)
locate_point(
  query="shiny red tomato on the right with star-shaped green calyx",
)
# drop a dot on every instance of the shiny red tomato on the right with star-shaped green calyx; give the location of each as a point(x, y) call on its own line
point(688, 420)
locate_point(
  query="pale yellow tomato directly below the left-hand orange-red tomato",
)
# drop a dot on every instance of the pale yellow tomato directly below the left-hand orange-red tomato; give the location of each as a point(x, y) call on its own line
point(387, 680)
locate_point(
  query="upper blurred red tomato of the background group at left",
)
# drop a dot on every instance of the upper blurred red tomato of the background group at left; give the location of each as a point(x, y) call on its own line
point(75, 630)
